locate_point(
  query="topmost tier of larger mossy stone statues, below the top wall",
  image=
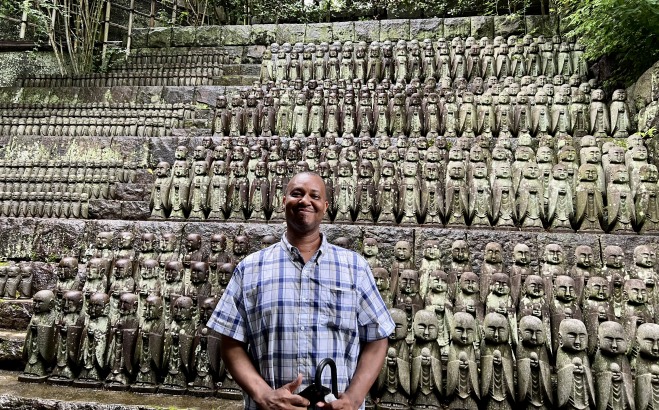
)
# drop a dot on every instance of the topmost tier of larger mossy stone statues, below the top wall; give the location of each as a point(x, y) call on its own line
point(404, 60)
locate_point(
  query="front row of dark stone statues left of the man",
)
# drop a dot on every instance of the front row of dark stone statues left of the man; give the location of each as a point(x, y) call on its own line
point(139, 349)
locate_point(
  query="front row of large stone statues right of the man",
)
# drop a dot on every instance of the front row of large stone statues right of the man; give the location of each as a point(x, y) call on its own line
point(479, 369)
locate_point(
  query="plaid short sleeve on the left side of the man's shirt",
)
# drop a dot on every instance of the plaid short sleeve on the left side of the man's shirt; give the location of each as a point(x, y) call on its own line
point(229, 316)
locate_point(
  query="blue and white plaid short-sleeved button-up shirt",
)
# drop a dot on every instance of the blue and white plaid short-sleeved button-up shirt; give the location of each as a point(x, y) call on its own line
point(293, 315)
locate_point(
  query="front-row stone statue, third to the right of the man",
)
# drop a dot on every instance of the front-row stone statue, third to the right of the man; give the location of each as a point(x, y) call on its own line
point(462, 384)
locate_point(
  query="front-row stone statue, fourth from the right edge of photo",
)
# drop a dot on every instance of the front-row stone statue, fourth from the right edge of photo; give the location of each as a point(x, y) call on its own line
point(534, 388)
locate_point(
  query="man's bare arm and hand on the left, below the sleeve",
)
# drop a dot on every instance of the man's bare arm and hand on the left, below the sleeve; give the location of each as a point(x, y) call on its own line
point(234, 355)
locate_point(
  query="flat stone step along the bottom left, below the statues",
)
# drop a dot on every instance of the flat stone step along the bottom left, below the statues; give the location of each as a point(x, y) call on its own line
point(27, 396)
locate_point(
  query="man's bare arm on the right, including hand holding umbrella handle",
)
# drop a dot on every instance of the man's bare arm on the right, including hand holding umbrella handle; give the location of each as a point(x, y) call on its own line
point(369, 365)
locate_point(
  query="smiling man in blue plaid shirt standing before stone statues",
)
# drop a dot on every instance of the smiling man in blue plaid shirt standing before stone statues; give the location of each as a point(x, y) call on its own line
point(297, 302)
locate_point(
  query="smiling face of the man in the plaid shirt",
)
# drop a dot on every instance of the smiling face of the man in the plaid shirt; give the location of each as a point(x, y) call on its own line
point(305, 203)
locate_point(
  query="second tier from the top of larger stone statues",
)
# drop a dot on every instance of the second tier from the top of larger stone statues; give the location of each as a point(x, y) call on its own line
point(320, 112)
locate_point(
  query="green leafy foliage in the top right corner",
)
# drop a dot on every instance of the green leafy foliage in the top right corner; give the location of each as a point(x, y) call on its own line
point(626, 31)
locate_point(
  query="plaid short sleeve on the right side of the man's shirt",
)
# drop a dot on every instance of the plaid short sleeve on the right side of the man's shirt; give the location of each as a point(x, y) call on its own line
point(373, 317)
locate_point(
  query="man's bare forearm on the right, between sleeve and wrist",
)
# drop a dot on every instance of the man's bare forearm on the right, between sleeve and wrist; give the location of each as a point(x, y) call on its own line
point(368, 367)
